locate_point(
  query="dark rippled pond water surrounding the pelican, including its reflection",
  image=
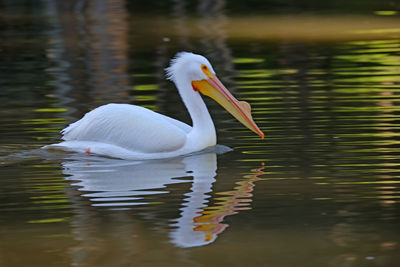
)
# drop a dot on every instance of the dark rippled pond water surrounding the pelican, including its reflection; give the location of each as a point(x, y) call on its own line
point(321, 190)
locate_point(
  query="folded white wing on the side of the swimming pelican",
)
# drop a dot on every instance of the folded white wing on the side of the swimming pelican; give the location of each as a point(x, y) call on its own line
point(130, 127)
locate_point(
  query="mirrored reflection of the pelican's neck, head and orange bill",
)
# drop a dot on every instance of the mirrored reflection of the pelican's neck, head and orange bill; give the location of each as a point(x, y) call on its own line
point(199, 223)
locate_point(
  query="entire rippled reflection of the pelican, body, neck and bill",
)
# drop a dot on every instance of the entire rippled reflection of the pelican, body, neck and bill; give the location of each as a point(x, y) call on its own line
point(109, 182)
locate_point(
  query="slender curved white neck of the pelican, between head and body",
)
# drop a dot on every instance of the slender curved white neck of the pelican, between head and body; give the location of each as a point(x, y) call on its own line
point(203, 127)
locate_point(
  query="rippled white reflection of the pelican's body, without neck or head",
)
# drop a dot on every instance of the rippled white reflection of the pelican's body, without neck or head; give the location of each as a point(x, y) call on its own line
point(112, 182)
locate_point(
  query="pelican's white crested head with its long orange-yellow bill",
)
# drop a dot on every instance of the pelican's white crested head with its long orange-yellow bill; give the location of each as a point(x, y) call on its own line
point(198, 70)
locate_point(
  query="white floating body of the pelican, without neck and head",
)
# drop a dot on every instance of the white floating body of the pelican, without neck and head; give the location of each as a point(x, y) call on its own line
point(134, 132)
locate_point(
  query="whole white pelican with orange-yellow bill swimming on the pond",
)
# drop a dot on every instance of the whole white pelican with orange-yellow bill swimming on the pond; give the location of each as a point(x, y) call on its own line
point(133, 132)
